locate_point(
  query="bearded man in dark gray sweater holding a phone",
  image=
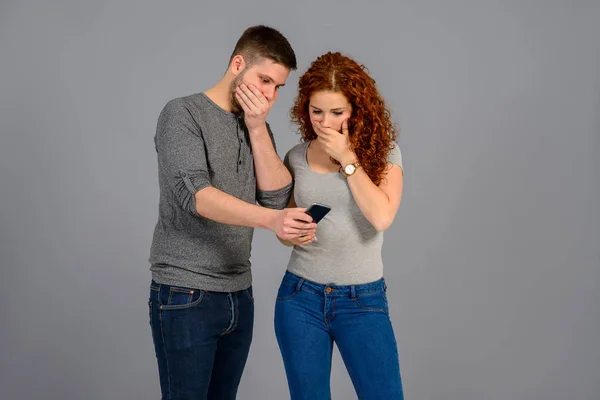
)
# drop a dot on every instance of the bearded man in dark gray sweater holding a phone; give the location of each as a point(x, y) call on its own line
point(217, 159)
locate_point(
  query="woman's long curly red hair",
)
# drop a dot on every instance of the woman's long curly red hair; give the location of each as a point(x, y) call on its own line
point(371, 131)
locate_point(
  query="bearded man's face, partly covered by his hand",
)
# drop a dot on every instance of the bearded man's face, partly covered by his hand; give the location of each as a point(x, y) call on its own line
point(266, 75)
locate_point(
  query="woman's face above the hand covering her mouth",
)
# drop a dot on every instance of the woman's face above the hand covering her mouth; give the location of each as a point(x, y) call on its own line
point(329, 108)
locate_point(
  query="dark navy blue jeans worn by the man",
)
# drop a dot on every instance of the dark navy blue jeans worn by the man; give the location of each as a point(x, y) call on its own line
point(201, 340)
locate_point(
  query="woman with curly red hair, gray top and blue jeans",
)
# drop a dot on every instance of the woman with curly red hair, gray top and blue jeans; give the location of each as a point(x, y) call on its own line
point(333, 289)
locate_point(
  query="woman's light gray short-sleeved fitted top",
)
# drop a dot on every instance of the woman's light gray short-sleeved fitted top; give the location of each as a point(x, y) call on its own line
point(348, 248)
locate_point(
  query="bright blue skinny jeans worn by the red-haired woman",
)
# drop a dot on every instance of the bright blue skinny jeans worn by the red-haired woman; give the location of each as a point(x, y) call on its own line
point(310, 317)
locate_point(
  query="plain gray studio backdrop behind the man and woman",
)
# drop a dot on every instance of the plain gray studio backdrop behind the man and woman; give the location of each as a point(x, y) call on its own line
point(493, 260)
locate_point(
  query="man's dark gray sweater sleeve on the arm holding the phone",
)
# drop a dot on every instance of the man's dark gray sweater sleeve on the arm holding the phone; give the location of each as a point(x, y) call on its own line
point(181, 154)
